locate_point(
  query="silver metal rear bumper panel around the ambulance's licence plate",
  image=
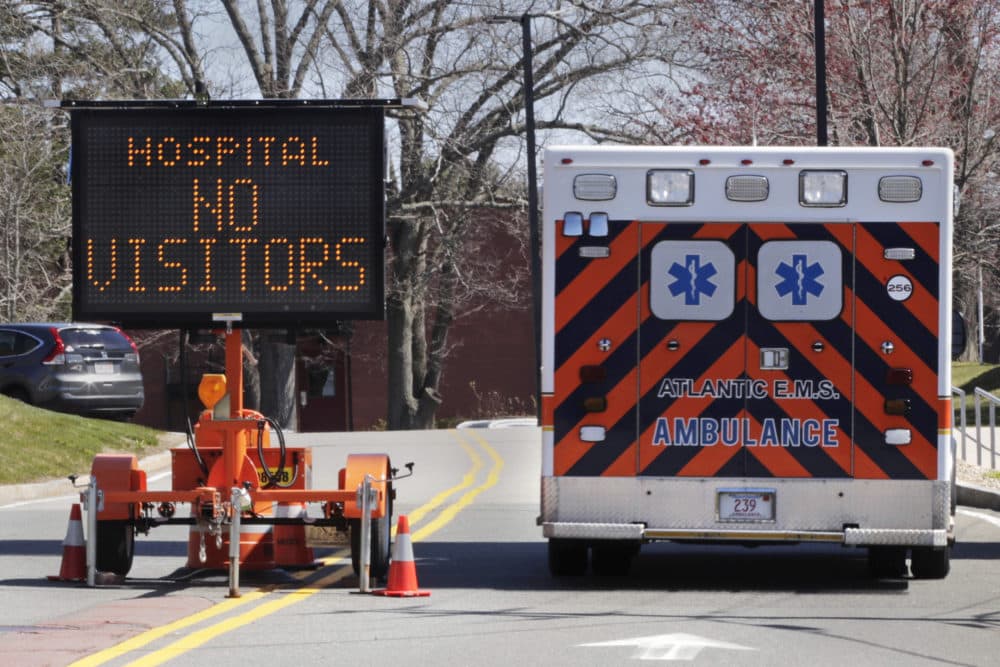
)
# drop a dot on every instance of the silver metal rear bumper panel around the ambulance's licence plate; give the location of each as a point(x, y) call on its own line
point(848, 512)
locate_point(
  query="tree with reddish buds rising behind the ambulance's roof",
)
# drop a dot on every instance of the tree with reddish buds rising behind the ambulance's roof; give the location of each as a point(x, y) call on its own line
point(900, 73)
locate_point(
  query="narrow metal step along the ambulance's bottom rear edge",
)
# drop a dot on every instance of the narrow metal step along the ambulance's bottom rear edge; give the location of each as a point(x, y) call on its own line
point(848, 537)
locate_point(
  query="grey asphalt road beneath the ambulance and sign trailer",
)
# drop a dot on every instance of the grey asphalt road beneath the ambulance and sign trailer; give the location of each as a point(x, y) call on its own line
point(472, 502)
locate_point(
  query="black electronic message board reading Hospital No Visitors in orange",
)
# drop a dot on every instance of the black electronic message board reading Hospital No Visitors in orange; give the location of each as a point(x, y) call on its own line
point(191, 216)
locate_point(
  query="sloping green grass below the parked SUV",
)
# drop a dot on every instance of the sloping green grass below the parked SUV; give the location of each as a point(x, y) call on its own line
point(38, 444)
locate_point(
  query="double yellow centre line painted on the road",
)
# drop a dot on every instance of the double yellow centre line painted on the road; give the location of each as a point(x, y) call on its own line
point(268, 599)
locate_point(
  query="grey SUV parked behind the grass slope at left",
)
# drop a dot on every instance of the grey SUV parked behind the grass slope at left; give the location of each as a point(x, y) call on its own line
point(90, 369)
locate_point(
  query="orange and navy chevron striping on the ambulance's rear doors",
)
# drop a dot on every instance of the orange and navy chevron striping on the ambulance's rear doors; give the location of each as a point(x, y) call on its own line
point(836, 367)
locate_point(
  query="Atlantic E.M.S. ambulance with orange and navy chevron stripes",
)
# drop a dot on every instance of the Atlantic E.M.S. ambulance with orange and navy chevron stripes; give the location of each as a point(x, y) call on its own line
point(747, 346)
